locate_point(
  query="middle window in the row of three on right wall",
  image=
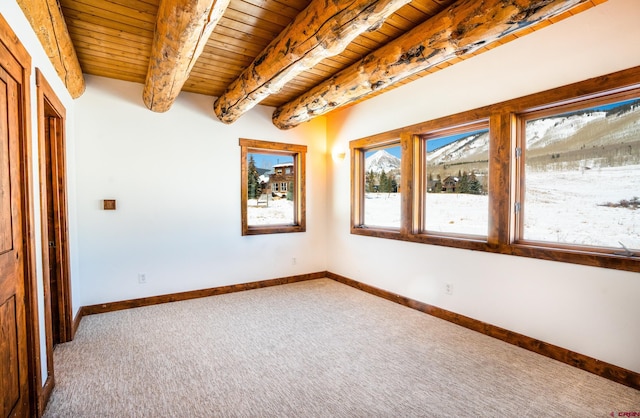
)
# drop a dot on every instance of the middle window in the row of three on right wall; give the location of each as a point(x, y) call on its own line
point(455, 170)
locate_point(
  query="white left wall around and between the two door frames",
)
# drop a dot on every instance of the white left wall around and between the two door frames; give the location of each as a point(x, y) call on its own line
point(14, 16)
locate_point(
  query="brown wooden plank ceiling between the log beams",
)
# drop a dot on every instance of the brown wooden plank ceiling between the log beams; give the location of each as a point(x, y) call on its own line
point(113, 38)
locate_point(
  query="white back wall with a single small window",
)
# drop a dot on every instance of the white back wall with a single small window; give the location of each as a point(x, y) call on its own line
point(176, 179)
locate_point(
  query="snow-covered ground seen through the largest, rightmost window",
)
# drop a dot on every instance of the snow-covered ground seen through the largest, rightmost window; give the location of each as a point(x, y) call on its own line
point(566, 206)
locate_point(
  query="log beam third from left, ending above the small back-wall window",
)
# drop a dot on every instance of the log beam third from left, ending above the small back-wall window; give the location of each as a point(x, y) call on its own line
point(322, 30)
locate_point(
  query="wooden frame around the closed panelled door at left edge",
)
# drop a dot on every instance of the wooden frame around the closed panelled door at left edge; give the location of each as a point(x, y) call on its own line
point(10, 40)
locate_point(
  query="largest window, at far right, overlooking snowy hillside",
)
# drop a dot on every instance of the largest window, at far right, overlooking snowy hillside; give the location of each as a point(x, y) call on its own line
point(580, 175)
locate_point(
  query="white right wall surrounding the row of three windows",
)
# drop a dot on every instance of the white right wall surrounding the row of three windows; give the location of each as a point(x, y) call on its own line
point(589, 310)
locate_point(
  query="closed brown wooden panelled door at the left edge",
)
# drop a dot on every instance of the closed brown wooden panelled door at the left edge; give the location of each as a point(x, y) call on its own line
point(14, 366)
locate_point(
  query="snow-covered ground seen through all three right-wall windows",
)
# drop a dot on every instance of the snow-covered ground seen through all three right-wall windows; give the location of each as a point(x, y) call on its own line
point(560, 206)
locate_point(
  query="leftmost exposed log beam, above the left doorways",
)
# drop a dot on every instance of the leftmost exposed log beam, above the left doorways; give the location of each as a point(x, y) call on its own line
point(48, 23)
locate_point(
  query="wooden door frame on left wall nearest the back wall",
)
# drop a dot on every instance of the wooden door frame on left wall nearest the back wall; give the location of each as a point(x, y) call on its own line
point(47, 144)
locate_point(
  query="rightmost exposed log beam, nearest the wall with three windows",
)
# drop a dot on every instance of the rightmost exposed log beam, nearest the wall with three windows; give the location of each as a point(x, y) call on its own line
point(461, 29)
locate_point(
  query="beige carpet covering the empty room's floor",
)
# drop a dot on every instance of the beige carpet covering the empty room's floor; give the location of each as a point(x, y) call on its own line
point(310, 349)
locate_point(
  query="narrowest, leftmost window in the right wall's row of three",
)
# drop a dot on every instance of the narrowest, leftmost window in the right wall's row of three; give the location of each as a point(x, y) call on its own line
point(379, 203)
